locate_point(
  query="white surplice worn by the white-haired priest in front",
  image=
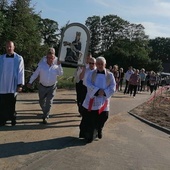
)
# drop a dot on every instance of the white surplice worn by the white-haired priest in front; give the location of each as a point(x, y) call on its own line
point(102, 81)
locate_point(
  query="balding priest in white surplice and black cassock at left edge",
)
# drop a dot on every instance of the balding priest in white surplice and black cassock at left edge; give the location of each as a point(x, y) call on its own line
point(11, 82)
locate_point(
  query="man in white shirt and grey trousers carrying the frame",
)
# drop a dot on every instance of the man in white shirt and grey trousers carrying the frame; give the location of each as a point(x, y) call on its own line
point(47, 72)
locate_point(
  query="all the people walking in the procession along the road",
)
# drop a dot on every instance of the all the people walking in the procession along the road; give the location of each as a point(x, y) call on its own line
point(94, 87)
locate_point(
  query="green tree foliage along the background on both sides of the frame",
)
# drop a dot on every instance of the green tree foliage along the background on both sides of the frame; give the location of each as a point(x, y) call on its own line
point(118, 40)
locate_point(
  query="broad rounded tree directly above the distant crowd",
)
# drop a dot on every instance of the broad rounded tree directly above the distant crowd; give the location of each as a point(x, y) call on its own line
point(128, 44)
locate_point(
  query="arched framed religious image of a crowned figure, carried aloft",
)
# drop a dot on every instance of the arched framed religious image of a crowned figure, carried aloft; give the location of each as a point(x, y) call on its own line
point(74, 44)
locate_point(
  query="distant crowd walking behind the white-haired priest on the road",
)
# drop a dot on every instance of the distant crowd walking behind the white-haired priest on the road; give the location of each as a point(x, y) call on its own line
point(135, 80)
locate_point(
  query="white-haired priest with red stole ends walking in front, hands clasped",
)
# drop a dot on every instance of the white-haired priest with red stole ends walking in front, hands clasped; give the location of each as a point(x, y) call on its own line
point(100, 87)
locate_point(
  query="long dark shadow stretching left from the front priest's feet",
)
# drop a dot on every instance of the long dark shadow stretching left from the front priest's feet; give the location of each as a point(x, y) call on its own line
point(24, 148)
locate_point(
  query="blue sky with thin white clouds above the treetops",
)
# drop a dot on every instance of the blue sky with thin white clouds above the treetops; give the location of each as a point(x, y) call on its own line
point(154, 15)
